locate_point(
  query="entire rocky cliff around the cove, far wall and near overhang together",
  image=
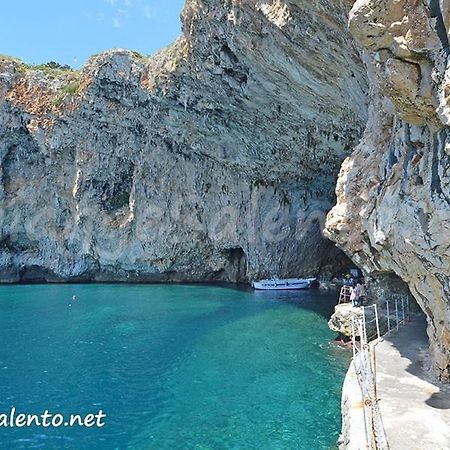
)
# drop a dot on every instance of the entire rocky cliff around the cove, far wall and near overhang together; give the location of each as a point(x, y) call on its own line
point(218, 158)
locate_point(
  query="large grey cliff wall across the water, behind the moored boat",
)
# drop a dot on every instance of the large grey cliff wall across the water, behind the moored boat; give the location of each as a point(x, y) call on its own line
point(216, 159)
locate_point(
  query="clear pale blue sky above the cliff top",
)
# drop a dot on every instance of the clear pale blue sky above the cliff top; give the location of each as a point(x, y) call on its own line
point(69, 31)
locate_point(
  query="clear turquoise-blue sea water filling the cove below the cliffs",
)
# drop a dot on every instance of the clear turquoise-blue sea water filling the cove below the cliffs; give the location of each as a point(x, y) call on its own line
point(173, 367)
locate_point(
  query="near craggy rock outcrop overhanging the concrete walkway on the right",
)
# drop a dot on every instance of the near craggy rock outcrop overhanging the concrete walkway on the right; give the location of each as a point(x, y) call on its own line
point(393, 209)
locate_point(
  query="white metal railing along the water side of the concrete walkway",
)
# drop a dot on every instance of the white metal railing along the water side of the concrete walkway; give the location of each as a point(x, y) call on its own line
point(375, 321)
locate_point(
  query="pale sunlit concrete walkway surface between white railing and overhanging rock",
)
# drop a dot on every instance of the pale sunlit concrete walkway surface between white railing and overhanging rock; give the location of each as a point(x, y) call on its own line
point(415, 408)
